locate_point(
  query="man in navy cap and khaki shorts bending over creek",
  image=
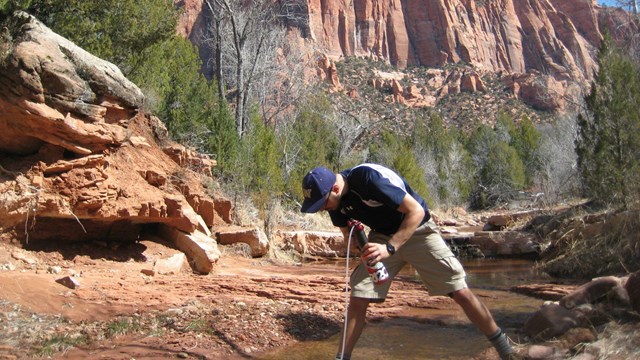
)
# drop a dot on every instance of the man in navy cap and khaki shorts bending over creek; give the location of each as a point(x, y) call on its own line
point(401, 232)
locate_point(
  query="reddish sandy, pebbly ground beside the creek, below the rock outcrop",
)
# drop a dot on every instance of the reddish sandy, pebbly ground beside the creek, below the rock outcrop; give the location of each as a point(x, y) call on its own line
point(245, 308)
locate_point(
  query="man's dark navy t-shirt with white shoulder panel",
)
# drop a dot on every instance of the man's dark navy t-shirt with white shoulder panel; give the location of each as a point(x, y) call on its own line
point(373, 197)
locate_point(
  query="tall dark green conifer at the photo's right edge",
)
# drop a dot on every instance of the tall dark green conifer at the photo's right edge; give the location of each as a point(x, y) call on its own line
point(608, 144)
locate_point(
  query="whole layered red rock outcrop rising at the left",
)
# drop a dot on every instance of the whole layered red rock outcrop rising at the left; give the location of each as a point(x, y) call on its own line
point(80, 160)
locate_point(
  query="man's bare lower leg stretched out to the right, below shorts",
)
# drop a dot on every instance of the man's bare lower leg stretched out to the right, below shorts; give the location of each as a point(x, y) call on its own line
point(480, 316)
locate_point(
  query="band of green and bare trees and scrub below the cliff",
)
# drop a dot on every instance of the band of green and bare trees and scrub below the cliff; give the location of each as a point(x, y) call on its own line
point(477, 150)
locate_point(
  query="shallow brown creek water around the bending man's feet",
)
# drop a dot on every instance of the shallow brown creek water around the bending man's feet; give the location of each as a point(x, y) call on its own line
point(410, 336)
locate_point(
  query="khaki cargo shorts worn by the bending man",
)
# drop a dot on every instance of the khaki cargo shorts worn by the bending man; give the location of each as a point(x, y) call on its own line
point(426, 251)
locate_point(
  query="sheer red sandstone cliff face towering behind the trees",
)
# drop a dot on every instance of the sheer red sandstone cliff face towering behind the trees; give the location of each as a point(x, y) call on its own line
point(543, 50)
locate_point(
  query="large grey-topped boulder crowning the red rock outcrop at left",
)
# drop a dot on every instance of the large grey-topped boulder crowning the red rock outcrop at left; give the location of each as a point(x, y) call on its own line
point(55, 92)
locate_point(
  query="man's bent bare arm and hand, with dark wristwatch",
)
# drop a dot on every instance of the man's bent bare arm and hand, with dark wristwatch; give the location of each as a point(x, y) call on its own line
point(414, 213)
